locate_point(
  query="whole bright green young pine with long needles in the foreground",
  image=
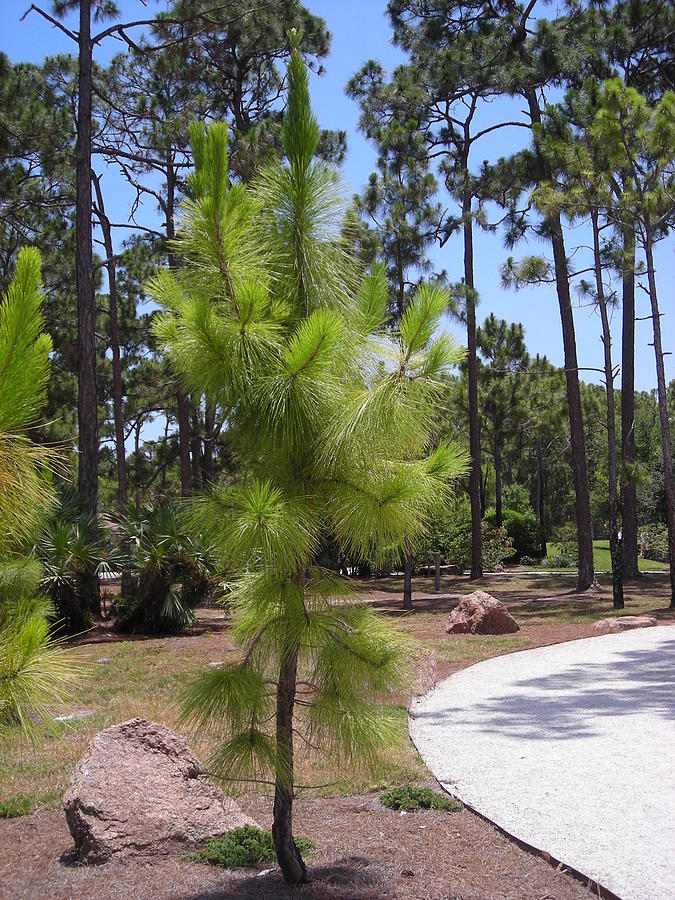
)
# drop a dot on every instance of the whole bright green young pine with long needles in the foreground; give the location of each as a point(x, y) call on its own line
point(333, 416)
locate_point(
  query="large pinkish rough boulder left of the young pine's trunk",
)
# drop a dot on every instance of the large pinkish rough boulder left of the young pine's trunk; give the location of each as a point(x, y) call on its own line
point(139, 789)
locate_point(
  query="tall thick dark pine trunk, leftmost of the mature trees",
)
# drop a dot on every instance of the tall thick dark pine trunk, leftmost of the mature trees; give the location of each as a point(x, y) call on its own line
point(87, 399)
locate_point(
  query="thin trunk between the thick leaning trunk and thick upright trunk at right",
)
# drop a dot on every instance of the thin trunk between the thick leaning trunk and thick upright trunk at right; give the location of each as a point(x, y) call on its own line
point(615, 550)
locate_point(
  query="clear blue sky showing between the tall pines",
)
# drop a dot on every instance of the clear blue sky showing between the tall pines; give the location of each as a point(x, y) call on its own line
point(360, 31)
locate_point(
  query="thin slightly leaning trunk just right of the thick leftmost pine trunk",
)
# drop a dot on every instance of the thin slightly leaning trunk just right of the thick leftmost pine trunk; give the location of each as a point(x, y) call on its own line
point(118, 404)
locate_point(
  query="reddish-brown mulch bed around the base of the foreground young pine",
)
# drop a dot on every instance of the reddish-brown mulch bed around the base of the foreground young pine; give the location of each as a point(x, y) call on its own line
point(363, 851)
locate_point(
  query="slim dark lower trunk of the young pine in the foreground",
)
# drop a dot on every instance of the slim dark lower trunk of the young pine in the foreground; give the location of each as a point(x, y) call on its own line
point(292, 865)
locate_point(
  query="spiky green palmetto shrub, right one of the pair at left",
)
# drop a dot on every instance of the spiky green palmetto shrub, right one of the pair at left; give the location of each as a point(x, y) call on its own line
point(169, 571)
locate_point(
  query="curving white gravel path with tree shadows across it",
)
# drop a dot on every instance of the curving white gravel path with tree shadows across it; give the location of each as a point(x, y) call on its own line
point(570, 748)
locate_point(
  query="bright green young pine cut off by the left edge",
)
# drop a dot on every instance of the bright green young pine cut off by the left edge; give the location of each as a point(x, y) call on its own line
point(35, 672)
